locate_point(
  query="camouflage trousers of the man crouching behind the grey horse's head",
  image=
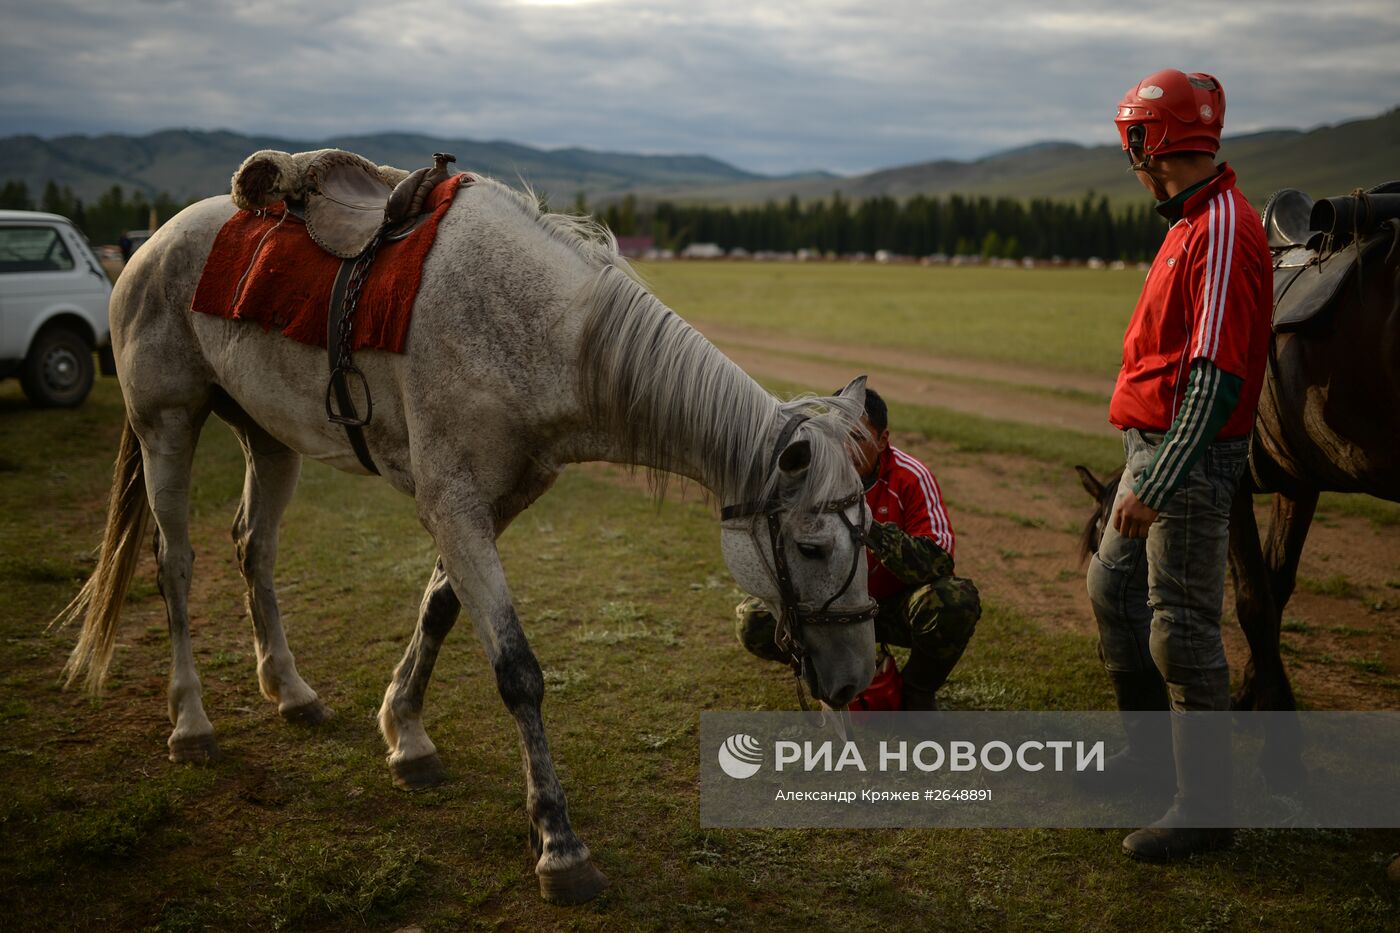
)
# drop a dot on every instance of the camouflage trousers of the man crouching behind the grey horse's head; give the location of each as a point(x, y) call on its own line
point(933, 621)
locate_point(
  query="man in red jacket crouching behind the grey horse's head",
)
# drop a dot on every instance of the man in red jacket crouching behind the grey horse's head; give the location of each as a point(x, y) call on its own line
point(911, 562)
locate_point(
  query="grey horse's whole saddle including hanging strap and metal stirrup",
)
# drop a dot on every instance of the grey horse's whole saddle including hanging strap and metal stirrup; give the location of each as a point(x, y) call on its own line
point(349, 207)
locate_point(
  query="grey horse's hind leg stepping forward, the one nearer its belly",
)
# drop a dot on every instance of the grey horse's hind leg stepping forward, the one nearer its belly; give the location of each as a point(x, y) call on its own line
point(274, 470)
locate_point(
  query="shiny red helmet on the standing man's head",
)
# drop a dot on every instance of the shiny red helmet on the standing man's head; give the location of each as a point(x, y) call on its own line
point(1177, 114)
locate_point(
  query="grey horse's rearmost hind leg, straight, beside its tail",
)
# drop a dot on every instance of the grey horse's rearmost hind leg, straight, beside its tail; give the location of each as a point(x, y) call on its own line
point(169, 439)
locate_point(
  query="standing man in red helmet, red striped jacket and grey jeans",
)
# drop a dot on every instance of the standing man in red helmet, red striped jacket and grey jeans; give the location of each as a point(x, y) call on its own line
point(1193, 365)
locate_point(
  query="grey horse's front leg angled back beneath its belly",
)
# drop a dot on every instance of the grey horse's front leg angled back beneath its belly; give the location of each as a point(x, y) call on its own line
point(412, 754)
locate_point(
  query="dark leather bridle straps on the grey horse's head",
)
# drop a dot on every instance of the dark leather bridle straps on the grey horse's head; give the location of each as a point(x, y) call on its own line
point(787, 635)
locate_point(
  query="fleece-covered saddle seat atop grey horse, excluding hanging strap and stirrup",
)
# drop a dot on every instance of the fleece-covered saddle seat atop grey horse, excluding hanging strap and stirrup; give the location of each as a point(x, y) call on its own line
point(345, 200)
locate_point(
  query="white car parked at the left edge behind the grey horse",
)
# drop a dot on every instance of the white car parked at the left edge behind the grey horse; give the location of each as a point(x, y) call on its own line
point(54, 298)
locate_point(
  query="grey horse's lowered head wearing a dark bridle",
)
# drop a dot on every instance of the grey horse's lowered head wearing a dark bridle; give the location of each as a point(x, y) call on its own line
point(800, 547)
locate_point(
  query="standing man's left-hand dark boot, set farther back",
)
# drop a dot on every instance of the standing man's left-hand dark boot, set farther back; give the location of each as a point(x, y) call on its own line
point(1146, 763)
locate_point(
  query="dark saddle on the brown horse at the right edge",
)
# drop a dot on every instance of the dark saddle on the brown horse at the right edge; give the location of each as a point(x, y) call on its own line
point(1318, 244)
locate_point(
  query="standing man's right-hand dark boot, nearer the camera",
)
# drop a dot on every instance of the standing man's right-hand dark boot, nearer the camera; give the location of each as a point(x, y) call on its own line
point(1203, 806)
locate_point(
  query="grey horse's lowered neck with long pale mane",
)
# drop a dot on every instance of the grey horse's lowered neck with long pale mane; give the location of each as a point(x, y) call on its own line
point(638, 385)
